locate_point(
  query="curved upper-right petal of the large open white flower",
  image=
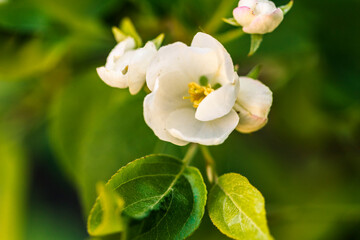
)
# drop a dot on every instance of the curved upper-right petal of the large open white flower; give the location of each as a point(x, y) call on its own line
point(226, 66)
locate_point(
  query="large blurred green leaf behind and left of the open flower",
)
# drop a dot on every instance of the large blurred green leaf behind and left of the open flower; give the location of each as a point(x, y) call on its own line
point(87, 133)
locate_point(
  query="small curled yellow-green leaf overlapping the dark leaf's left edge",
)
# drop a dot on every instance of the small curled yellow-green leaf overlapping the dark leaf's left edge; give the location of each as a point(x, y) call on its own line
point(108, 219)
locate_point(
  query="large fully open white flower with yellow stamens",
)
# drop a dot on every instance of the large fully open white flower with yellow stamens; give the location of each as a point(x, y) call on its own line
point(194, 92)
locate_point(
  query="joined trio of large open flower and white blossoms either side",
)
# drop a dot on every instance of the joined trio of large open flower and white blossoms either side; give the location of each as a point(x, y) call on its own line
point(196, 96)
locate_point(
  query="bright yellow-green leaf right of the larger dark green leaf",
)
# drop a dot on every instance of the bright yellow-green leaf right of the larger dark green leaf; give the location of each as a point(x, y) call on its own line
point(237, 208)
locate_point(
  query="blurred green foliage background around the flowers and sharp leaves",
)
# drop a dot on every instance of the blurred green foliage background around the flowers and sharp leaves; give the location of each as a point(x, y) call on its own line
point(62, 129)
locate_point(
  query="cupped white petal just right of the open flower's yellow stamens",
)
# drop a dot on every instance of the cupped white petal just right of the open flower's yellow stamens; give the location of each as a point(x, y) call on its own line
point(218, 103)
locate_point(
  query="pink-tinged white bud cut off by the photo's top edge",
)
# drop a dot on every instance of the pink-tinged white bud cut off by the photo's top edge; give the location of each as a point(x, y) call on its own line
point(258, 16)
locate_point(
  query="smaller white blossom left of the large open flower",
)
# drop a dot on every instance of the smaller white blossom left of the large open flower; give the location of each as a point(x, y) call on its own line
point(126, 66)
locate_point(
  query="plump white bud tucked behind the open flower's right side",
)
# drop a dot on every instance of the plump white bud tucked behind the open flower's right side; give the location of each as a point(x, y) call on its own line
point(253, 105)
